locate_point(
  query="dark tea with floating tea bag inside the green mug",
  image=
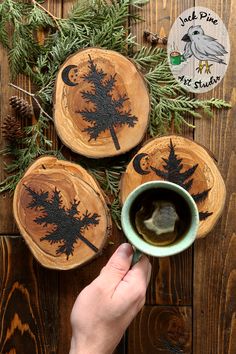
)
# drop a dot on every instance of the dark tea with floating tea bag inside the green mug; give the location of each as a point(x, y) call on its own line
point(160, 216)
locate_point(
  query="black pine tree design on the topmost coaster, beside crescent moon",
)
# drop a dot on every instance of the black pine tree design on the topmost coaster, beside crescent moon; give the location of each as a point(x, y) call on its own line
point(108, 113)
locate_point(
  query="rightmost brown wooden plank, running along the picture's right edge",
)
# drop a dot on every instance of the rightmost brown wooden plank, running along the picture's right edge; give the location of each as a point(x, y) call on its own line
point(214, 301)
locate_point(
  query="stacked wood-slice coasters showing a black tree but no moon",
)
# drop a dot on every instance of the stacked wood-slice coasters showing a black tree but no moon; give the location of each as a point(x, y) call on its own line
point(61, 212)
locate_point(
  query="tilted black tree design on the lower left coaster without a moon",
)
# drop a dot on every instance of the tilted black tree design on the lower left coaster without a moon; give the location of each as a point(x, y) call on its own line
point(69, 225)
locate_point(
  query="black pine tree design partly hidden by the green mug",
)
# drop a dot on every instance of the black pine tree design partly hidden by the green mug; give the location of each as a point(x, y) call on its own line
point(172, 173)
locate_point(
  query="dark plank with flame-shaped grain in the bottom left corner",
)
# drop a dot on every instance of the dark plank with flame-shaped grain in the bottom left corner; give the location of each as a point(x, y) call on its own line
point(29, 301)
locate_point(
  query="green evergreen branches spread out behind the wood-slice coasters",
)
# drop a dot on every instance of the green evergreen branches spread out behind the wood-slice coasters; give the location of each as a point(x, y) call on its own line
point(89, 23)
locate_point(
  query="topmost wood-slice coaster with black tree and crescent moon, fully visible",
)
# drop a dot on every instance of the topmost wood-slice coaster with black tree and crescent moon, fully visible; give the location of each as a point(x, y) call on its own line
point(101, 103)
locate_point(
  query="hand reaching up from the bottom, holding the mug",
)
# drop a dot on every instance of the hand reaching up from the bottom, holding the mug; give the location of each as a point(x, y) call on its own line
point(104, 309)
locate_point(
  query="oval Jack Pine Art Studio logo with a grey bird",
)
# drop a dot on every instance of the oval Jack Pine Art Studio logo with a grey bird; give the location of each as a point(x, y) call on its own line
point(198, 49)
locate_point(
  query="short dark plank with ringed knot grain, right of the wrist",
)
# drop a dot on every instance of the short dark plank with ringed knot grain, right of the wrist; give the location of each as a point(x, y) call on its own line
point(161, 329)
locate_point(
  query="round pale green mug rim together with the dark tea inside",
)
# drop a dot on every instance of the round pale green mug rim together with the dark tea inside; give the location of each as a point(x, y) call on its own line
point(160, 218)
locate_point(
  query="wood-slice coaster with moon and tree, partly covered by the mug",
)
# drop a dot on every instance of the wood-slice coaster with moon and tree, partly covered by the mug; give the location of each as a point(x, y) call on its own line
point(186, 163)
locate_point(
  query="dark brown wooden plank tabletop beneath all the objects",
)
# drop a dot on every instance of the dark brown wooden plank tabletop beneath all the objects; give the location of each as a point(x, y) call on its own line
point(191, 300)
